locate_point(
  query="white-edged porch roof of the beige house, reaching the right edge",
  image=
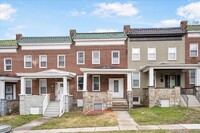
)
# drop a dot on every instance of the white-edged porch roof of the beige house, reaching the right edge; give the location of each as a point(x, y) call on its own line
point(169, 66)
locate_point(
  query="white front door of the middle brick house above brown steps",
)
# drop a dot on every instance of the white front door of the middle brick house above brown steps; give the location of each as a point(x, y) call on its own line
point(116, 85)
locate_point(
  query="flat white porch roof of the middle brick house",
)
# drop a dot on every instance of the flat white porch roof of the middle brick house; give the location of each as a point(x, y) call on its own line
point(106, 71)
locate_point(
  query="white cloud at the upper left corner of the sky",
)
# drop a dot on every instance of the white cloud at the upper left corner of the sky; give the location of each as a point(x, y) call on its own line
point(6, 11)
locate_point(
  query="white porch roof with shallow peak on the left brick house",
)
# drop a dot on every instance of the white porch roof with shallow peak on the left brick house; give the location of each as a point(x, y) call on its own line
point(52, 73)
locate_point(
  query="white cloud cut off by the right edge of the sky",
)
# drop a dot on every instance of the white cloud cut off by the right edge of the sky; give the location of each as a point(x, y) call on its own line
point(190, 11)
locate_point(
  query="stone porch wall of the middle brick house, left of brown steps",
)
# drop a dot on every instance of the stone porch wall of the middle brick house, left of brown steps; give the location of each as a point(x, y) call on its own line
point(89, 98)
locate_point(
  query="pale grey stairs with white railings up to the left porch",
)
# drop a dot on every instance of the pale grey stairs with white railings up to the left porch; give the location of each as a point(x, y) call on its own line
point(53, 109)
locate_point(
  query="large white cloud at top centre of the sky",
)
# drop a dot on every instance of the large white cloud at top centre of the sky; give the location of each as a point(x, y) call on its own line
point(115, 9)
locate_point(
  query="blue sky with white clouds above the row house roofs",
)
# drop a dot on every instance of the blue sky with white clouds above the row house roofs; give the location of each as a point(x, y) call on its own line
point(57, 17)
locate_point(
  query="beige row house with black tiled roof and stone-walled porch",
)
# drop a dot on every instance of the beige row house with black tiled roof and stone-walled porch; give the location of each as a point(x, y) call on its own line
point(158, 55)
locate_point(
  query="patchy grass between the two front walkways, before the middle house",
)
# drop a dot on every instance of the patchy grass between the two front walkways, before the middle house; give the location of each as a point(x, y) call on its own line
point(76, 119)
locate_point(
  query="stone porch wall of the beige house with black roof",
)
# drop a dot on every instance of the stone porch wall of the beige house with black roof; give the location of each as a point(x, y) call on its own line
point(173, 95)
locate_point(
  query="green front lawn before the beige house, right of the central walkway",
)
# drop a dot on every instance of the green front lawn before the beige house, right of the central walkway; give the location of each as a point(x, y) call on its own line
point(170, 115)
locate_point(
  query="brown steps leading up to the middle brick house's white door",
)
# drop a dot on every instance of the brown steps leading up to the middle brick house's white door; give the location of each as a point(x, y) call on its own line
point(120, 104)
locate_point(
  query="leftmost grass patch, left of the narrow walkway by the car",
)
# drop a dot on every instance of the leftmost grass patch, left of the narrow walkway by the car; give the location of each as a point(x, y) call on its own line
point(17, 120)
